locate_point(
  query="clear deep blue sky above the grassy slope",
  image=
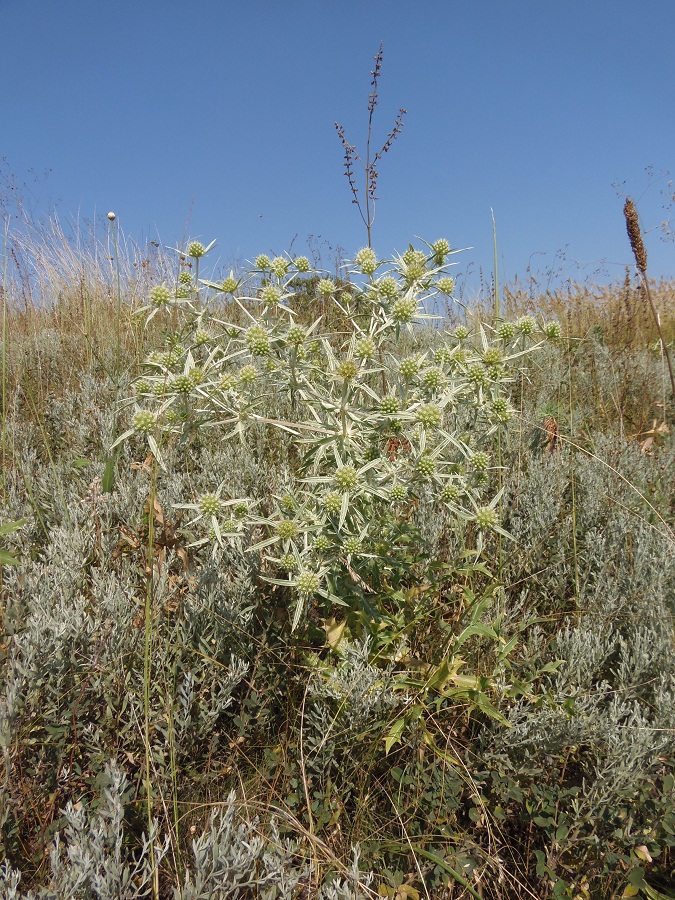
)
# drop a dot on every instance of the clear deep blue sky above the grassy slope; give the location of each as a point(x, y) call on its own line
point(224, 111)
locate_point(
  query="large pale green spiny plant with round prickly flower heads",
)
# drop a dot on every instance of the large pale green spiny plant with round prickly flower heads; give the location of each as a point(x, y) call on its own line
point(375, 431)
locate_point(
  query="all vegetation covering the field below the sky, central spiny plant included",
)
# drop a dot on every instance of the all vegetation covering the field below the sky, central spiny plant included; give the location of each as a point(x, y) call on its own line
point(309, 593)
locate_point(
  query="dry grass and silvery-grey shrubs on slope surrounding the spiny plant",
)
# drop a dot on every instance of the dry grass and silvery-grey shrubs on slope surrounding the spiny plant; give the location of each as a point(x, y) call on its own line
point(266, 772)
